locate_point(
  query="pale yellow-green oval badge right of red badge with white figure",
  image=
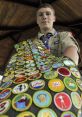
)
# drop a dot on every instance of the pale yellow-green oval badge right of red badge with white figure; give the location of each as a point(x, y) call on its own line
point(76, 99)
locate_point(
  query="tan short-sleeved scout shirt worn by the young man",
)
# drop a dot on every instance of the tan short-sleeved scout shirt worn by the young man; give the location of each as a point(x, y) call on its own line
point(65, 40)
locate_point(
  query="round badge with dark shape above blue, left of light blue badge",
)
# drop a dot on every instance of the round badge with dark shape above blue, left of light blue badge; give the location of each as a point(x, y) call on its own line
point(22, 102)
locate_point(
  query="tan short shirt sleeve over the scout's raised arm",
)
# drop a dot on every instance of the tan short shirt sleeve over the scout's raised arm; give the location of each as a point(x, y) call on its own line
point(68, 40)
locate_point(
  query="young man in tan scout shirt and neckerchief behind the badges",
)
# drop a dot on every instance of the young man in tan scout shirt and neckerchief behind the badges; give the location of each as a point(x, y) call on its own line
point(60, 43)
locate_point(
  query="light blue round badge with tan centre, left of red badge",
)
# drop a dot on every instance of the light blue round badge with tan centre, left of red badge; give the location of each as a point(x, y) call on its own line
point(42, 98)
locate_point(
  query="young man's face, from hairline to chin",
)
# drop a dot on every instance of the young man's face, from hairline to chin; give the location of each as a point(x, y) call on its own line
point(45, 18)
